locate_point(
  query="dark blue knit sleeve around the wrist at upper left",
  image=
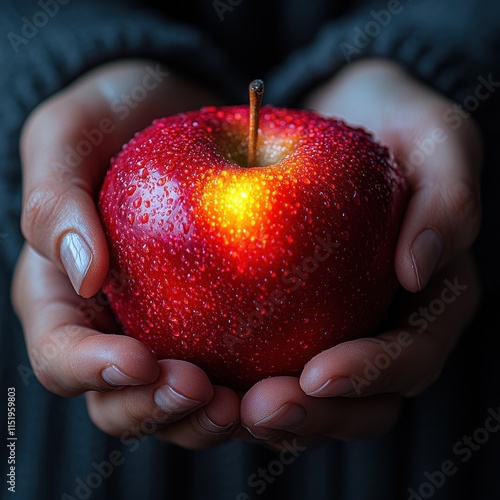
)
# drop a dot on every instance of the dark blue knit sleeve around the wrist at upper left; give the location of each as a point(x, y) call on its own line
point(47, 44)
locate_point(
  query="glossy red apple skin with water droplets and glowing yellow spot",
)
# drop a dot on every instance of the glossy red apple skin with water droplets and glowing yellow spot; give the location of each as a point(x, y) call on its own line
point(249, 272)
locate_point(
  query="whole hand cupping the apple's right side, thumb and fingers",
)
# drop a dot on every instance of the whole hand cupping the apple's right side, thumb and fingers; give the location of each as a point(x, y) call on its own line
point(444, 203)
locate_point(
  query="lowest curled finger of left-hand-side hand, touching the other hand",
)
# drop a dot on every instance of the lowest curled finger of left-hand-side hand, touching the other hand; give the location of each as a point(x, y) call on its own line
point(210, 425)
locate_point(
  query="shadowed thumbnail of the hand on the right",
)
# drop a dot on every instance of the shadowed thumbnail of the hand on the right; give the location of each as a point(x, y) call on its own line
point(426, 251)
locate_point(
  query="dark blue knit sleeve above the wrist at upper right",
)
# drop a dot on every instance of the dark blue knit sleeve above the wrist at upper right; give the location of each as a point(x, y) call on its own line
point(451, 45)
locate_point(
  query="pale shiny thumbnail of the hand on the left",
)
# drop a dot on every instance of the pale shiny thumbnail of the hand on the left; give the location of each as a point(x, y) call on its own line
point(76, 258)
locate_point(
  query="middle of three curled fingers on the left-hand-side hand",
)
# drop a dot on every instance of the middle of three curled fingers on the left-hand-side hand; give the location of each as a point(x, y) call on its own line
point(180, 389)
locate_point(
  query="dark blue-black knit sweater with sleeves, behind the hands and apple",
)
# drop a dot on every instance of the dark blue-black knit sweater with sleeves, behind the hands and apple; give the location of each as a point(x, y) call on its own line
point(294, 45)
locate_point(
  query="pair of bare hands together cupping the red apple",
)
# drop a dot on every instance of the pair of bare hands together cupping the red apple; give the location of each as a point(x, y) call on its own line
point(177, 396)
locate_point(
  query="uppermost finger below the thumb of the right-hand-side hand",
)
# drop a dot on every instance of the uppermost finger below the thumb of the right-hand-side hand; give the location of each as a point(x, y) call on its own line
point(404, 361)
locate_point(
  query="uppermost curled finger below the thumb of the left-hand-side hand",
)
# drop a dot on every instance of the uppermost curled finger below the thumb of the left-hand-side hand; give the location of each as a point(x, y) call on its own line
point(67, 355)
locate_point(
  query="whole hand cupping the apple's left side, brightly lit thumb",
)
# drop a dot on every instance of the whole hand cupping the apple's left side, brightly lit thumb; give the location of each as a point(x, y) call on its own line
point(66, 145)
